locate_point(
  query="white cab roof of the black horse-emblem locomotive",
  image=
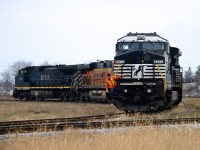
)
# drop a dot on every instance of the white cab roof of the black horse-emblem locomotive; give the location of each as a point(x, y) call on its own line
point(141, 37)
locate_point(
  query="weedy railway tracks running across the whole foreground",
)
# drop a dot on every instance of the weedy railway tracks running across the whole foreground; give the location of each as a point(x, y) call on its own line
point(97, 121)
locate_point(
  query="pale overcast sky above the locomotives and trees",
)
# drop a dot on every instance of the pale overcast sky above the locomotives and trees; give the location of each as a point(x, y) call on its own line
point(80, 31)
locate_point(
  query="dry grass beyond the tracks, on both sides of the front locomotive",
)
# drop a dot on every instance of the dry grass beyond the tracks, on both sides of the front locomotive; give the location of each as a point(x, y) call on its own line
point(20, 110)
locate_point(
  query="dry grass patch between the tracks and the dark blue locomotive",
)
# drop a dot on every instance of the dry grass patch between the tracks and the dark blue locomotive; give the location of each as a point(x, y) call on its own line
point(19, 110)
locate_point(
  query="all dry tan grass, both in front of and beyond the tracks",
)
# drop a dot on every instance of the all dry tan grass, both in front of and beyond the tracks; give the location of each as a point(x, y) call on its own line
point(140, 138)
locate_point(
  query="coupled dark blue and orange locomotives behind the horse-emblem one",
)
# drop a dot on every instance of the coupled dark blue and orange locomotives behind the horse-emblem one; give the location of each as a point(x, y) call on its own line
point(83, 82)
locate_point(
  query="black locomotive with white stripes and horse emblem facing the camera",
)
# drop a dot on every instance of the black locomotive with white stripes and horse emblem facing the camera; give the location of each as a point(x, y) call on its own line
point(152, 76)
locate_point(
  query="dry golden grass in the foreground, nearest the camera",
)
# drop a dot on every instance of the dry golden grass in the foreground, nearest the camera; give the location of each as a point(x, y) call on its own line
point(151, 138)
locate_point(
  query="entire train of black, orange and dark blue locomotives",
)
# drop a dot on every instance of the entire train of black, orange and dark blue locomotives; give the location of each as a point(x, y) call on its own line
point(152, 76)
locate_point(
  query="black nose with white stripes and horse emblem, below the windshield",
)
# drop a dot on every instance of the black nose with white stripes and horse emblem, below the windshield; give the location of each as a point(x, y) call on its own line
point(143, 73)
